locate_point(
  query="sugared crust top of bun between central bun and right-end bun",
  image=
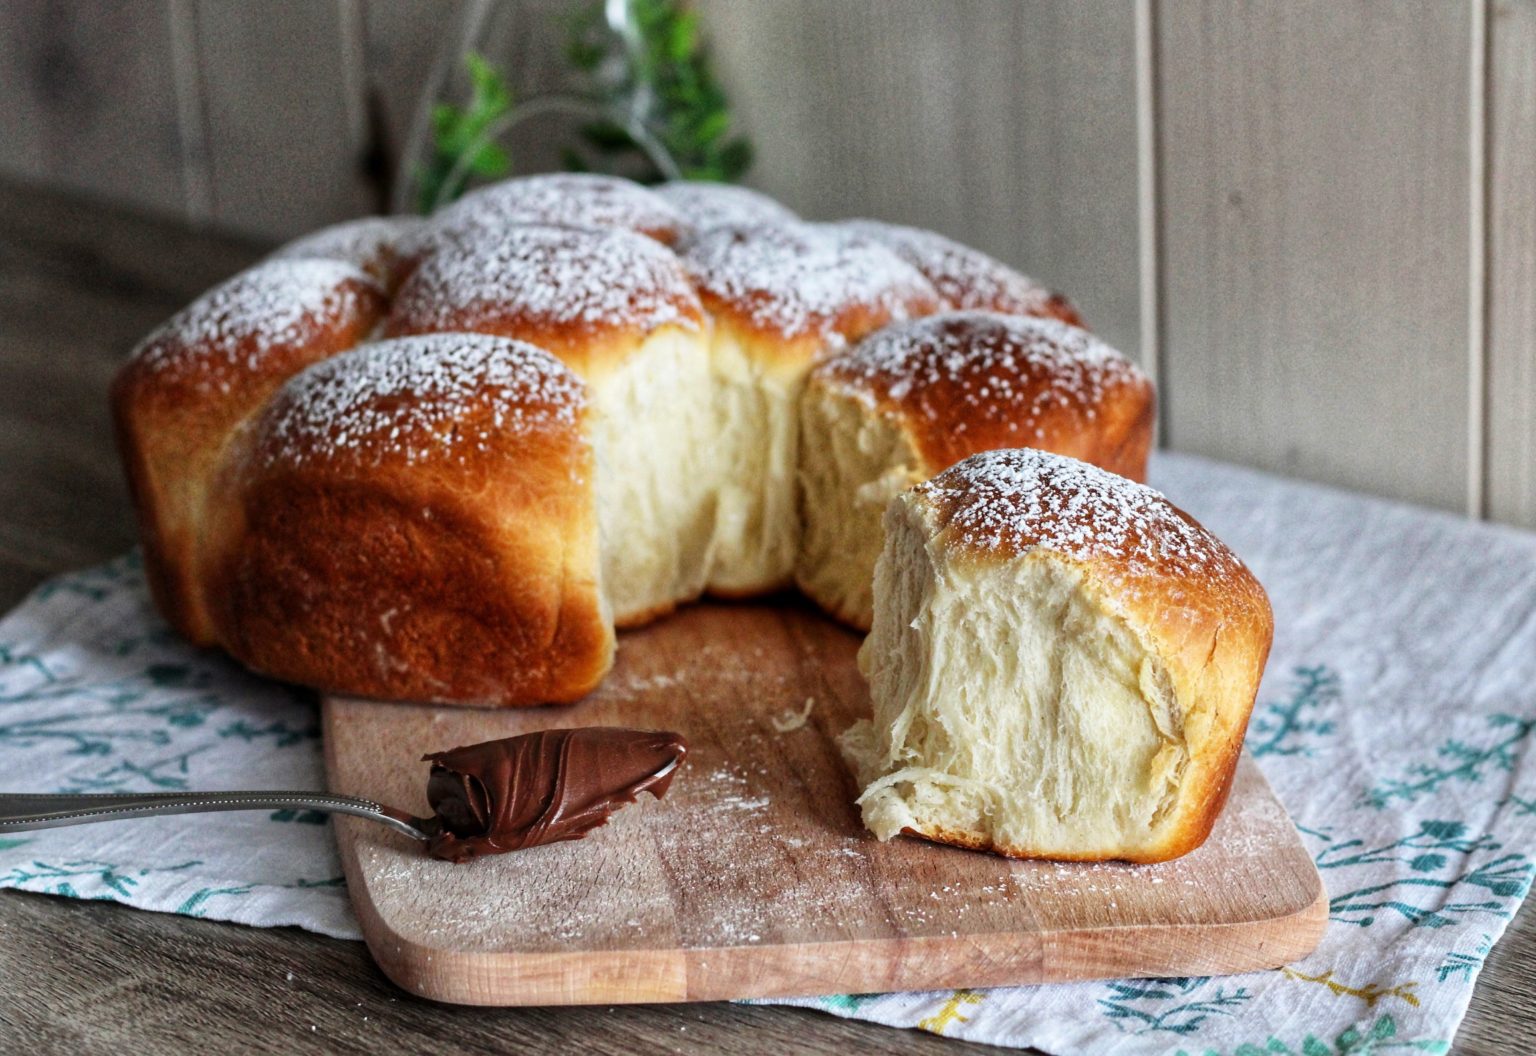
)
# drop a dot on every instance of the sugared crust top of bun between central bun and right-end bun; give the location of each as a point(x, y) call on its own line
point(793, 292)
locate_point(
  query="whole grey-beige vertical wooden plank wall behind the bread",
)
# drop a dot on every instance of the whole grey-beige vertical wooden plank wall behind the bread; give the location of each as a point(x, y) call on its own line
point(1313, 219)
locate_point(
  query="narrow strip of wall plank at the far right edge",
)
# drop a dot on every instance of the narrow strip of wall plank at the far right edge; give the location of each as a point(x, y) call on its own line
point(1512, 263)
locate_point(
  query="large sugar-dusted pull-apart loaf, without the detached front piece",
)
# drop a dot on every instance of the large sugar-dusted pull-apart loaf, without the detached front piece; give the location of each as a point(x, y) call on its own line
point(689, 317)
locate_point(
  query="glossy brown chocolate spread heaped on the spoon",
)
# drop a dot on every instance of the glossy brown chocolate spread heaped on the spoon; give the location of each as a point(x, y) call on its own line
point(543, 788)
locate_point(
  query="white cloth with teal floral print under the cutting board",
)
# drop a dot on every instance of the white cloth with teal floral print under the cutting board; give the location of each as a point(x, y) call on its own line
point(1397, 724)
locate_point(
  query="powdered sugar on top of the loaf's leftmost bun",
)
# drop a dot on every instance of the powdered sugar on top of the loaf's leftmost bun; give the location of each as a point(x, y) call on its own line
point(279, 303)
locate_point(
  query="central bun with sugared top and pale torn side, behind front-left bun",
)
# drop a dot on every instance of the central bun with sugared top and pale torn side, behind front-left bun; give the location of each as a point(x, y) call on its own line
point(620, 311)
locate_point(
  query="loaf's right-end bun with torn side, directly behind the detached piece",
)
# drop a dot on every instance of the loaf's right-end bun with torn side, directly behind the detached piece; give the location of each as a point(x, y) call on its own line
point(916, 398)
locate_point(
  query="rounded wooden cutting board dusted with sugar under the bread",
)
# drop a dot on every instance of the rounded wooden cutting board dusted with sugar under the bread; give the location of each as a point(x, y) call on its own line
point(755, 877)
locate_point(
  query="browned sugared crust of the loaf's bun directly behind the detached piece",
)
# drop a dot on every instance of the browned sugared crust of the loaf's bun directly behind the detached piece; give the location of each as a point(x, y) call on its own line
point(973, 381)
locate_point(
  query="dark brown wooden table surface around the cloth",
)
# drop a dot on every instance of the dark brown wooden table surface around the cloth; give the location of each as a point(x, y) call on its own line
point(79, 285)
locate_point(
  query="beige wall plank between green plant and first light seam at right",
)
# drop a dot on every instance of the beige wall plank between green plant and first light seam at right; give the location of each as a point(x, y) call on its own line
point(1005, 125)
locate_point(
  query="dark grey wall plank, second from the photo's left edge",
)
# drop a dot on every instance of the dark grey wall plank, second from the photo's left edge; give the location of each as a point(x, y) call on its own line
point(282, 88)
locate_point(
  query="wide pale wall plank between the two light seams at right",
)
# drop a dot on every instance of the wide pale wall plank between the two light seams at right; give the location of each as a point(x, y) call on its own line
point(1316, 222)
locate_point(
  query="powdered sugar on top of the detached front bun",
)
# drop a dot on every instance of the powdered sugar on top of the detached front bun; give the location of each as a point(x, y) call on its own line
point(1027, 500)
